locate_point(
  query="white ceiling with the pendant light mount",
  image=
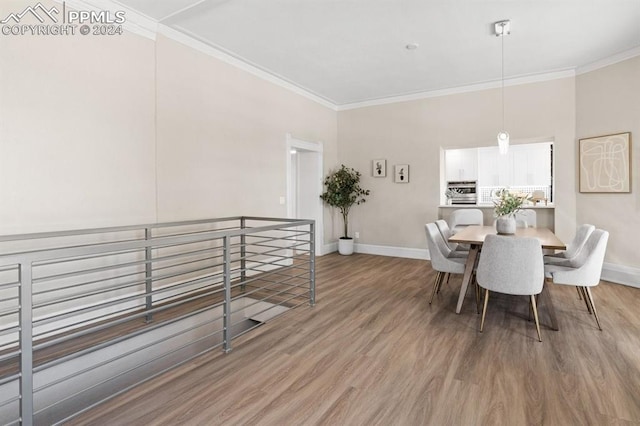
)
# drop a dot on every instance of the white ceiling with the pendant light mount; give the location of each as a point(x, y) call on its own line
point(352, 51)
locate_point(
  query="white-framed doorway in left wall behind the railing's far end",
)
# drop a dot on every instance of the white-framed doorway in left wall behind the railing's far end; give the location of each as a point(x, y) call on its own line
point(304, 183)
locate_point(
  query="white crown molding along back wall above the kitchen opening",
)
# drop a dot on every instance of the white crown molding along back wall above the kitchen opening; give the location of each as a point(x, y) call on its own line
point(515, 81)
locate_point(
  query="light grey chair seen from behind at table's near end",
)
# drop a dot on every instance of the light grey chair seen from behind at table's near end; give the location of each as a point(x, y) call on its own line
point(511, 265)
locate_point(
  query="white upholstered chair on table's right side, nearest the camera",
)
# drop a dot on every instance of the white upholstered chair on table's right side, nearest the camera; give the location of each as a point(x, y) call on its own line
point(584, 270)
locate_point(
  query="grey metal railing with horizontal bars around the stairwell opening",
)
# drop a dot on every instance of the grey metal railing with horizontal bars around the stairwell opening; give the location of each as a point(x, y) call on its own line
point(71, 296)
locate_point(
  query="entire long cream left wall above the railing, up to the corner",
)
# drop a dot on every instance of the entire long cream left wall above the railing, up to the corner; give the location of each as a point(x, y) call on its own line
point(114, 130)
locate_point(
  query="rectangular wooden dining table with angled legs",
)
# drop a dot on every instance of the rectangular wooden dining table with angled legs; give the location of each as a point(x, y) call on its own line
point(474, 236)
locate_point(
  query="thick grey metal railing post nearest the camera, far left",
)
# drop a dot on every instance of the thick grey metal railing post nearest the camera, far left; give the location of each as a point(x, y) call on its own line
point(26, 344)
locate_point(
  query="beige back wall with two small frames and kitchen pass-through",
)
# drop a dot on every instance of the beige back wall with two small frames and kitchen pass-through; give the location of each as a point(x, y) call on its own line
point(413, 133)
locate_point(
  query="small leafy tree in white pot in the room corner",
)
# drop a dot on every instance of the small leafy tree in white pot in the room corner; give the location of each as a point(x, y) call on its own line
point(343, 191)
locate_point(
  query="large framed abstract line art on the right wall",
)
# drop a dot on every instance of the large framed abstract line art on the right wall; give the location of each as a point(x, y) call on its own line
point(605, 164)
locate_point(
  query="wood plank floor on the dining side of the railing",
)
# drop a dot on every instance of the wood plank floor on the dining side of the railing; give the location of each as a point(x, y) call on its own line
point(374, 352)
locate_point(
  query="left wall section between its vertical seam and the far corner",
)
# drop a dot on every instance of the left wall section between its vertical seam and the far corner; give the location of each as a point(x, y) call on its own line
point(222, 136)
